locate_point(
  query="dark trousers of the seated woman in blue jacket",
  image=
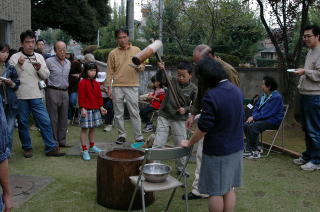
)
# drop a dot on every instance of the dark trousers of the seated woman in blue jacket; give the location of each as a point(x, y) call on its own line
point(252, 131)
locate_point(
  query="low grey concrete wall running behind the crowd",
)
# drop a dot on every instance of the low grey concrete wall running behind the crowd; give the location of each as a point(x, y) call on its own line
point(250, 78)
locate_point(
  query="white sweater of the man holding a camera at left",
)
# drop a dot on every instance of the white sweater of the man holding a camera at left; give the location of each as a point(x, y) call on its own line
point(28, 76)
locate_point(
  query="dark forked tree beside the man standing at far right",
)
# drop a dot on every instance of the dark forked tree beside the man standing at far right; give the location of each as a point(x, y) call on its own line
point(286, 16)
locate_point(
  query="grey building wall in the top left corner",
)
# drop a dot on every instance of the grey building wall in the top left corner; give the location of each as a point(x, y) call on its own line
point(18, 14)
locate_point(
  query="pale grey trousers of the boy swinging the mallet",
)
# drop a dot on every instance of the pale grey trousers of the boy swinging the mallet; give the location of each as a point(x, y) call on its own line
point(178, 132)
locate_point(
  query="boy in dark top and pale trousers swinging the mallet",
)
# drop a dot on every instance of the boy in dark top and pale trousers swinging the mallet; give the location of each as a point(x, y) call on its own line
point(173, 114)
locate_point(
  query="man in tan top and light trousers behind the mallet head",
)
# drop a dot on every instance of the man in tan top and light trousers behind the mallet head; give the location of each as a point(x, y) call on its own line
point(123, 82)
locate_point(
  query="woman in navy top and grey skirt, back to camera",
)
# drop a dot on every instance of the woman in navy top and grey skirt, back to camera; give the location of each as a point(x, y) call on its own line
point(221, 125)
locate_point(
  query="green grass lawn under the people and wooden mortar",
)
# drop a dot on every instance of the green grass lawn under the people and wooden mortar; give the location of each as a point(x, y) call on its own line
point(270, 184)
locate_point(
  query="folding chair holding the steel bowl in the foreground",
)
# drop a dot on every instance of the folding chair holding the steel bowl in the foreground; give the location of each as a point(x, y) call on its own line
point(169, 183)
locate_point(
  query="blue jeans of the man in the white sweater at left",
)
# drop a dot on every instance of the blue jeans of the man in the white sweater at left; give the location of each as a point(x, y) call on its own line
point(40, 115)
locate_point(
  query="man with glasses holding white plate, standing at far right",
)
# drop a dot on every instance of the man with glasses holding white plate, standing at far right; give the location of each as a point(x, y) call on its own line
point(309, 89)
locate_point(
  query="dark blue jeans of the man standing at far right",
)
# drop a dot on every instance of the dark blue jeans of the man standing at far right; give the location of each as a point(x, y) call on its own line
point(310, 118)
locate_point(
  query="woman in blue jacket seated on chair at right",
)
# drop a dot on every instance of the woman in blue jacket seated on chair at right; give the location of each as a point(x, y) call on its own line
point(267, 114)
